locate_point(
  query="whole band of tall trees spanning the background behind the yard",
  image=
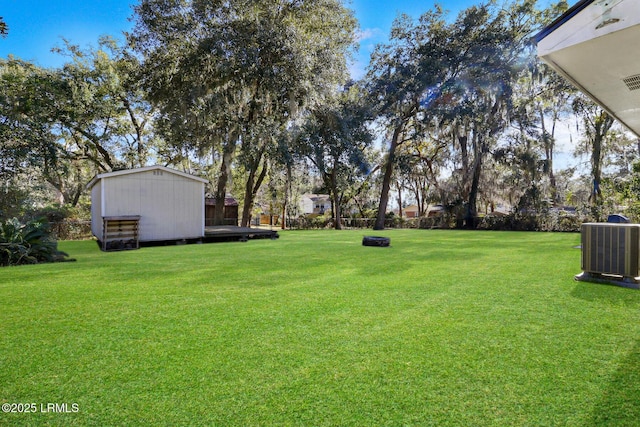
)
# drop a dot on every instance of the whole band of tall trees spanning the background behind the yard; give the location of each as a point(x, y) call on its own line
point(453, 111)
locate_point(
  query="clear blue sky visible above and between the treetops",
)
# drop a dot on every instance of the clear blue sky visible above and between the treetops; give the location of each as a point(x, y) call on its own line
point(37, 26)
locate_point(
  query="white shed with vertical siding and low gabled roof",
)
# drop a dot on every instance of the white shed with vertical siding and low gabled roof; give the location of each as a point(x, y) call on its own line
point(164, 204)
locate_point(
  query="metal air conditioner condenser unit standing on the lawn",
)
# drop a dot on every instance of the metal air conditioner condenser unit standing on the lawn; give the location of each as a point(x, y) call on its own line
point(611, 254)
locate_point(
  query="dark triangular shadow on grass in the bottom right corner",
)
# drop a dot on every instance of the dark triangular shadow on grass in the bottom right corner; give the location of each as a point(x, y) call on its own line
point(619, 403)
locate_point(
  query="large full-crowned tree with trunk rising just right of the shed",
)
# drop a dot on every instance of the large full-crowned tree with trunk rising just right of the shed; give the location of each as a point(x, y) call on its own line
point(223, 72)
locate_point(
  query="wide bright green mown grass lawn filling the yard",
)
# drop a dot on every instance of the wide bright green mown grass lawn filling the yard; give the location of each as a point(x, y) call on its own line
point(442, 328)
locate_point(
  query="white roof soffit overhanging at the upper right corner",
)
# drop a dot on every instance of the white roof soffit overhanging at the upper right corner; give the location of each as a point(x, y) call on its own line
point(598, 50)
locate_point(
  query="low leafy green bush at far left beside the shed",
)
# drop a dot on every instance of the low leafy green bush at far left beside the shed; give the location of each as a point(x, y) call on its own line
point(28, 243)
